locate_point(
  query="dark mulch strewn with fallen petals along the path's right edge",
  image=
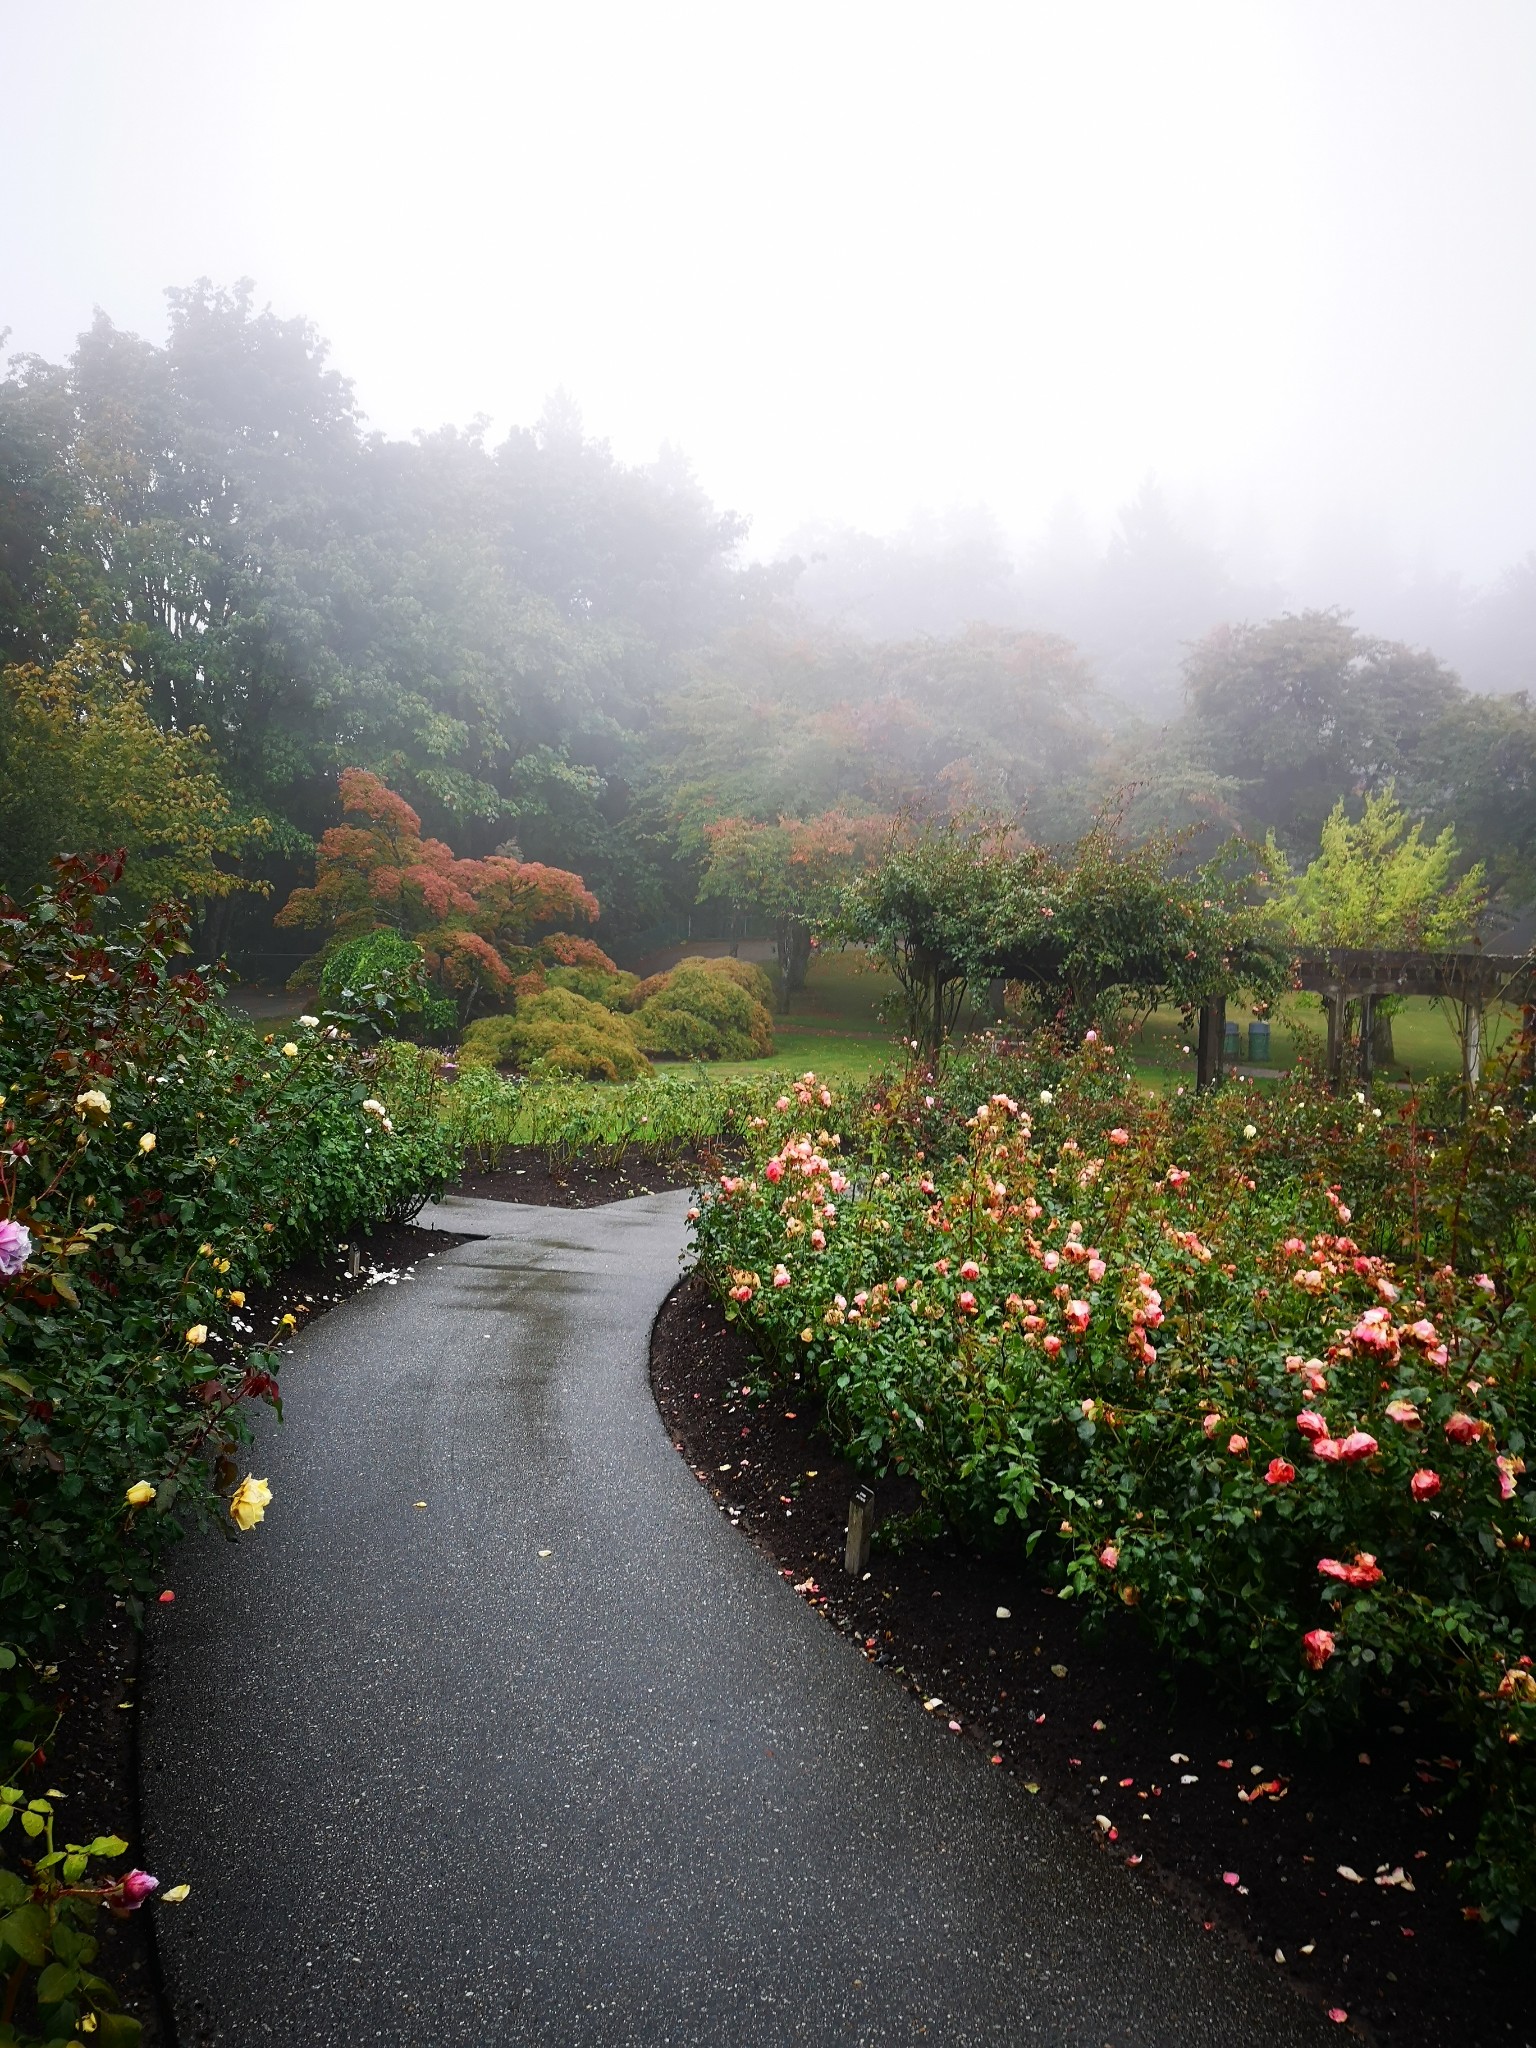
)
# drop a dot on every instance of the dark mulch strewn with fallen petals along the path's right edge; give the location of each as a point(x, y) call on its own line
point(1101, 1730)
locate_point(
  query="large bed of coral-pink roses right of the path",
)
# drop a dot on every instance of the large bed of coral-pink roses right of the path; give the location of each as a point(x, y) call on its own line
point(1232, 1363)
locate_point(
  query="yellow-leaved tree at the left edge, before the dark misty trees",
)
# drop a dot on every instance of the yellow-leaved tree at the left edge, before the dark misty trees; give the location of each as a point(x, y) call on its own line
point(85, 769)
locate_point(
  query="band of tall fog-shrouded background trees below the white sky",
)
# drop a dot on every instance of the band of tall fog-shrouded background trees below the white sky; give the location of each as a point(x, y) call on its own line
point(214, 570)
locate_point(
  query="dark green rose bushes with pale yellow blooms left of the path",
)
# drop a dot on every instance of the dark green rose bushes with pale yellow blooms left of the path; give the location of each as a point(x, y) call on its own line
point(157, 1162)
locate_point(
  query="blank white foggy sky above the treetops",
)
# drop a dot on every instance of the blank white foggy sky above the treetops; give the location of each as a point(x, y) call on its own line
point(851, 259)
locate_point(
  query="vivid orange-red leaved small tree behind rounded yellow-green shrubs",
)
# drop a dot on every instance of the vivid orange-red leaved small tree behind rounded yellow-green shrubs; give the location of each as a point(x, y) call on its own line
point(472, 921)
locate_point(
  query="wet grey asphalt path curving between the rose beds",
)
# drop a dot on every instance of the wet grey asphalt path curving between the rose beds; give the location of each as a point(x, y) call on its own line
point(560, 1758)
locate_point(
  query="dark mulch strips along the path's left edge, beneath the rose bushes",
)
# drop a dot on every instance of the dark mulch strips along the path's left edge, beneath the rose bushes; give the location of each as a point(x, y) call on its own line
point(93, 1756)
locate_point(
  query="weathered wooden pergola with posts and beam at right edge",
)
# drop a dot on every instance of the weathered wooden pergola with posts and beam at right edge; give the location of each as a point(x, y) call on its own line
point(1469, 982)
